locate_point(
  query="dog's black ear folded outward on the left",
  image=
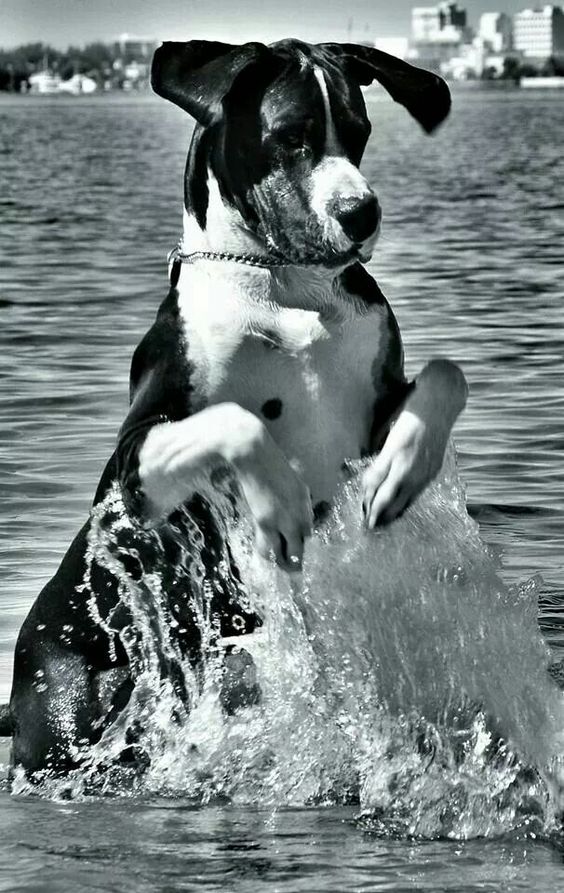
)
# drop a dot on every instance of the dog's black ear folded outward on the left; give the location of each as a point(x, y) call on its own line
point(197, 74)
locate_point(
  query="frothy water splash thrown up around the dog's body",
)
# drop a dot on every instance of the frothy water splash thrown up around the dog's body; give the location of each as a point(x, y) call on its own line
point(397, 670)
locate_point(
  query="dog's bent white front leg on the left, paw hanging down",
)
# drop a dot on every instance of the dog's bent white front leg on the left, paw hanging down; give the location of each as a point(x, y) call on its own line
point(177, 457)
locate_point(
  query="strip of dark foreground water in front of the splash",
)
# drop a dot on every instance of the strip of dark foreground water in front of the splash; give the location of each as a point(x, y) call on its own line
point(163, 846)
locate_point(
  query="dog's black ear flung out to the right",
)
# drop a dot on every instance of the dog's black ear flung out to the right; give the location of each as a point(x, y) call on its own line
point(425, 95)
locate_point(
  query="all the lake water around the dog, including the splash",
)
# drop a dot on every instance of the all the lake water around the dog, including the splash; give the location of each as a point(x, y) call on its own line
point(471, 261)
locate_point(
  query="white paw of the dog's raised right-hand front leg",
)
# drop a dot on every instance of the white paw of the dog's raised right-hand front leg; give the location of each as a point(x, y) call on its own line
point(411, 457)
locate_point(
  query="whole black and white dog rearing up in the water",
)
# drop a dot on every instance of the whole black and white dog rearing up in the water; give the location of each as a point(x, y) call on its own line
point(275, 356)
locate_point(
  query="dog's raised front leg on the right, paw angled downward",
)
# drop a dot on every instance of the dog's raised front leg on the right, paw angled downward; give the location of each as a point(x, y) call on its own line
point(413, 452)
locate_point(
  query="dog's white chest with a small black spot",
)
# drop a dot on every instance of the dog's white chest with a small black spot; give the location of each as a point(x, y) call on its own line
point(310, 381)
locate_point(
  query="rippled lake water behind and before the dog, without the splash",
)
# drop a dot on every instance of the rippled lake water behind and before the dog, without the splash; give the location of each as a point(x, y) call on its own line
point(470, 260)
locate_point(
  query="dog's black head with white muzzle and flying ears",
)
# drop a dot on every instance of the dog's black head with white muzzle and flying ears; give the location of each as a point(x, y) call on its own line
point(282, 130)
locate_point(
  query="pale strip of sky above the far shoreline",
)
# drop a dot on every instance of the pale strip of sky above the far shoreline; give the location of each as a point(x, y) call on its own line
point(64, 22)
